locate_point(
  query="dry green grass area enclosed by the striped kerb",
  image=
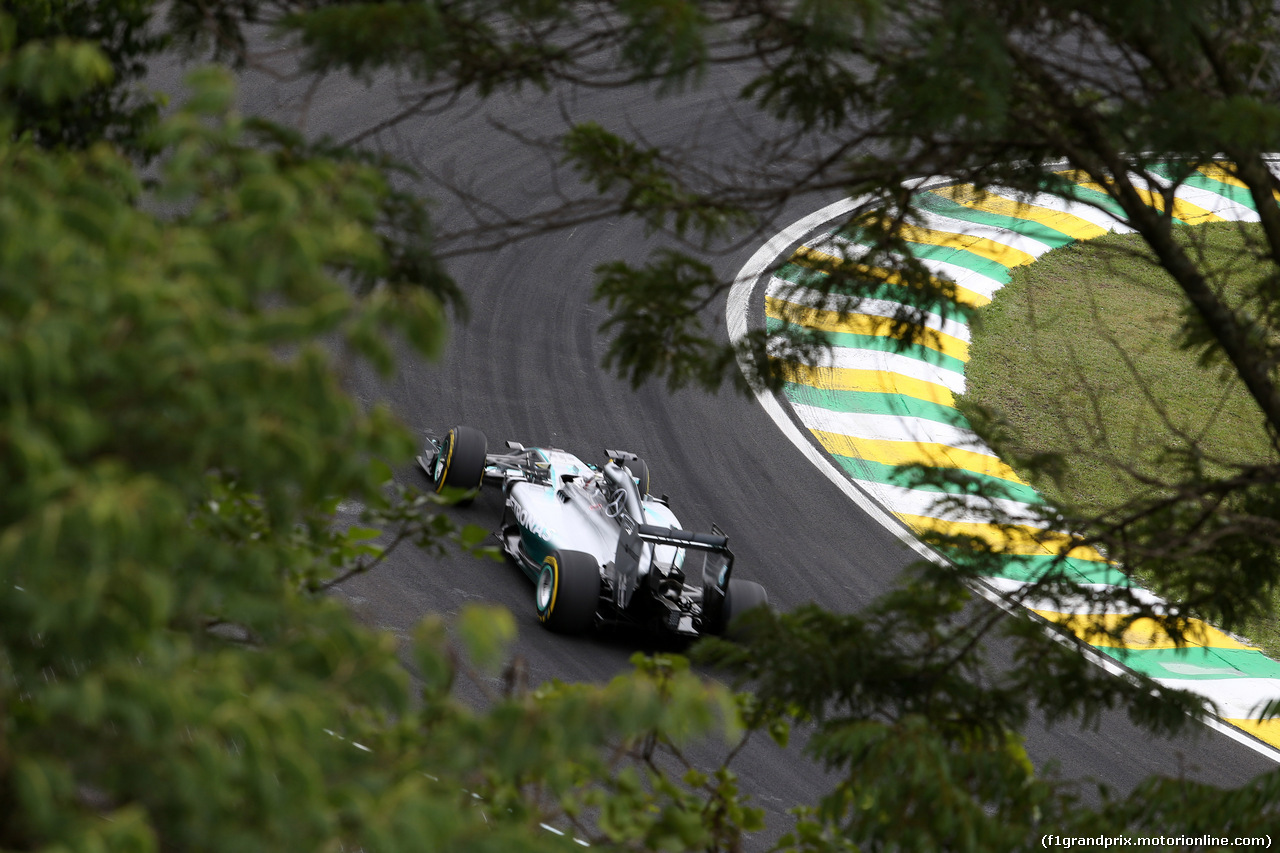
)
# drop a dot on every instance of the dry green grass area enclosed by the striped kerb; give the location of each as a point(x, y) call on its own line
point(1080, 354)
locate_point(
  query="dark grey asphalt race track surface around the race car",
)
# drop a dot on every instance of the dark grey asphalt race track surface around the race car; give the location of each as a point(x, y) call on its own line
point(528, 368)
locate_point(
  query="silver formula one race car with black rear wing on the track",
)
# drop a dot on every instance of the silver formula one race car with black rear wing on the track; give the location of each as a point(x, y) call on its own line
point(600, 548)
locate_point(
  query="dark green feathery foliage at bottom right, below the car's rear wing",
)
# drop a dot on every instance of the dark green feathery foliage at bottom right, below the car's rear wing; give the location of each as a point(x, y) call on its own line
point(921, 733)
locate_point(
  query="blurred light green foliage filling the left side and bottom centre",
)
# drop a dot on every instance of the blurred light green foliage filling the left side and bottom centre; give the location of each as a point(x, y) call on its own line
point(176, 443)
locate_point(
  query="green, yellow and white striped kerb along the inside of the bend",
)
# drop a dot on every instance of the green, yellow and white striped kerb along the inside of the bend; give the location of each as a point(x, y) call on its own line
point(876, 404)
